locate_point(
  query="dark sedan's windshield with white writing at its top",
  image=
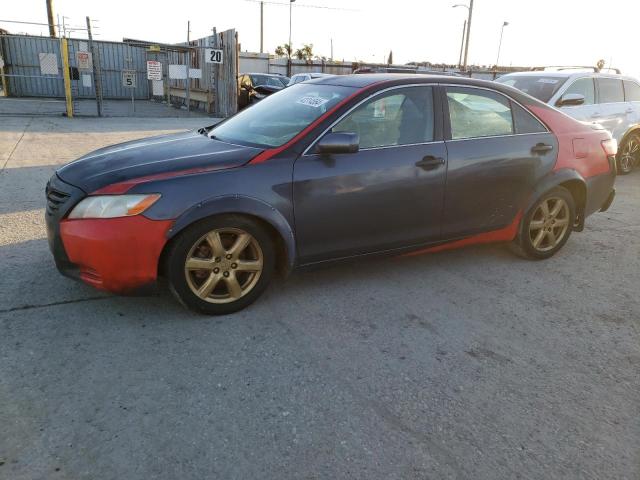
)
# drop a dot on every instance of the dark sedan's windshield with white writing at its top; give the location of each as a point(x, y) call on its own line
point(280, 117)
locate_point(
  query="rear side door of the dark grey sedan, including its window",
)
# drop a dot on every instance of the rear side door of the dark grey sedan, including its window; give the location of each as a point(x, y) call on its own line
point(497, 151)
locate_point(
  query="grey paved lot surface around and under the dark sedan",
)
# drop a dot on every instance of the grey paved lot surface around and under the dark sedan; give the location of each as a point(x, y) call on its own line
point(470, 364)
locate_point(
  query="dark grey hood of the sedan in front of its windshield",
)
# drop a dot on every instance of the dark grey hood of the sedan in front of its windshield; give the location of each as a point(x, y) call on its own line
point(164, 154)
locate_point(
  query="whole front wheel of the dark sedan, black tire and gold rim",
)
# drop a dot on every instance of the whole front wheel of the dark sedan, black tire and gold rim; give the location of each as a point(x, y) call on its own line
point(220, 265)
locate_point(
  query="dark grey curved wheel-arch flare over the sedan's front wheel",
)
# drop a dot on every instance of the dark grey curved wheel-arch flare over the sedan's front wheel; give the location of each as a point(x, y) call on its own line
point(239, 204)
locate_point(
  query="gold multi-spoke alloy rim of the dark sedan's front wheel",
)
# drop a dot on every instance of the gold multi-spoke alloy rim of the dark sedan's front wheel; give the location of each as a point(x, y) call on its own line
point(223, 265)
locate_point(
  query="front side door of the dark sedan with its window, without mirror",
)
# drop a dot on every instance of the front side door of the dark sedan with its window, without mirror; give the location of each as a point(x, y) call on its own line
point(388, 194)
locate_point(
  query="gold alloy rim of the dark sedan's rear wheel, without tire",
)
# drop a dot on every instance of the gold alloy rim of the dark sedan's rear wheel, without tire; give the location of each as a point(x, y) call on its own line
point(549, 224)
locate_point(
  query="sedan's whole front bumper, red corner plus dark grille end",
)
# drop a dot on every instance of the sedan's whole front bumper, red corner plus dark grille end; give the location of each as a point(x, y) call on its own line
point(119, 255)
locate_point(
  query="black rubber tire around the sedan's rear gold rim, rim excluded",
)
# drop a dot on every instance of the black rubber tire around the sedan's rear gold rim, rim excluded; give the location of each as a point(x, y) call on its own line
point(523, 244)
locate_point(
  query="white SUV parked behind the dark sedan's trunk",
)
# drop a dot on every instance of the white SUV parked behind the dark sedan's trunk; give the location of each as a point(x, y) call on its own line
point(612, 100)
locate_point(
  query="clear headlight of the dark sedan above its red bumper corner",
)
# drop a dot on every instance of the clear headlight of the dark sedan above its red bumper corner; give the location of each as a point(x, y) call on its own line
point(111, 206)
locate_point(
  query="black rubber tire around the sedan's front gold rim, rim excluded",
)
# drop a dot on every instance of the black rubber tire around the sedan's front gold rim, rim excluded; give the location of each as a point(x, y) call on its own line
point(188, 240)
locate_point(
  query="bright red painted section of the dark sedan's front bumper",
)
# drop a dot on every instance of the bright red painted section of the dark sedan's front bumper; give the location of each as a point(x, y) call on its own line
point(119, 255)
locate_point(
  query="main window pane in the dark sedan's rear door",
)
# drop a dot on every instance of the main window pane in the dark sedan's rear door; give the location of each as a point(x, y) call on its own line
point(478, 113)
